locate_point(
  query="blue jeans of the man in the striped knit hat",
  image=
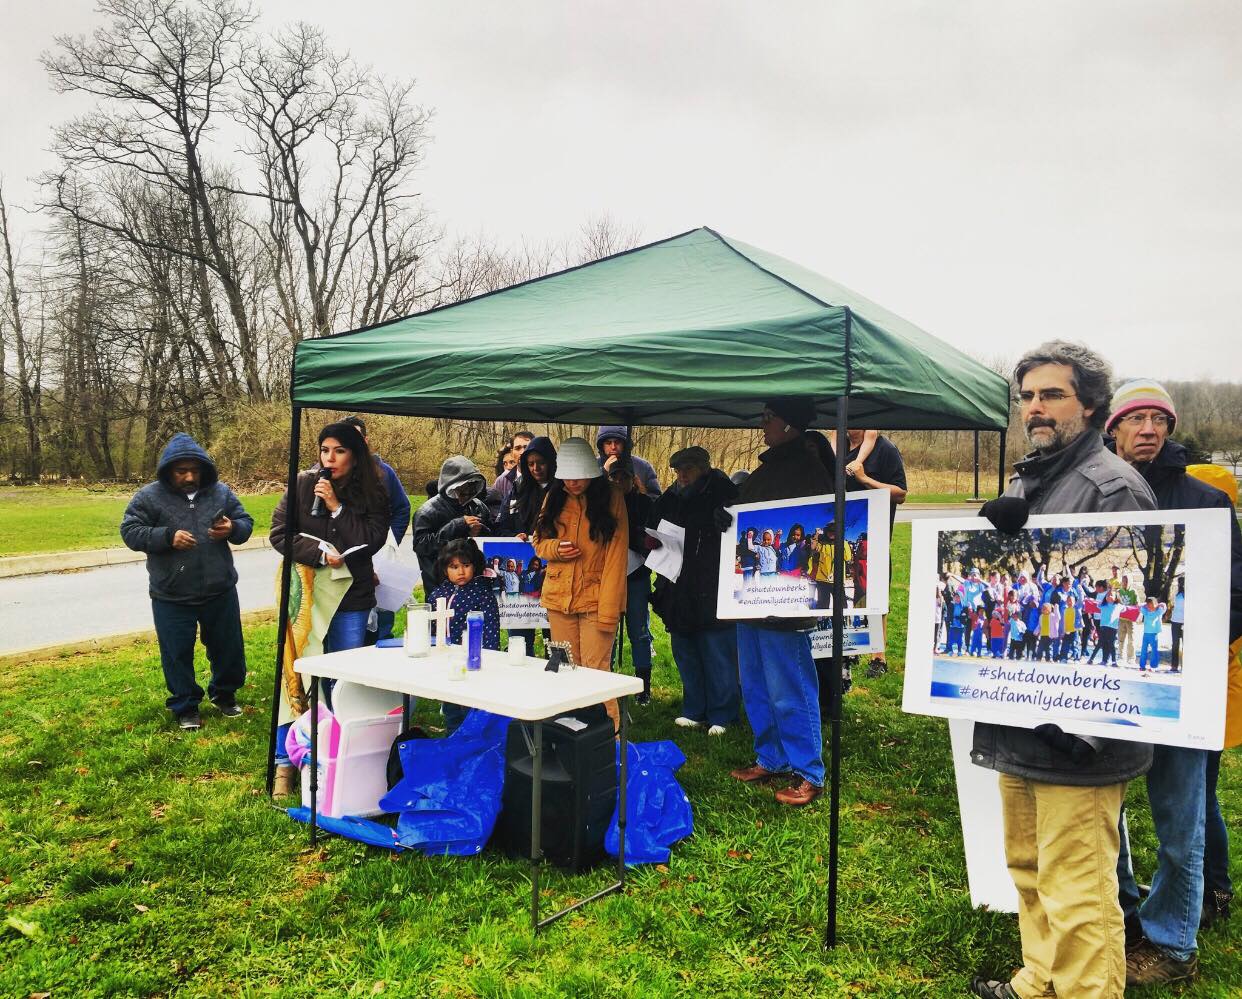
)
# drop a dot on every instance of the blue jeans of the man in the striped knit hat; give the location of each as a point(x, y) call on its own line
point(1177, 790)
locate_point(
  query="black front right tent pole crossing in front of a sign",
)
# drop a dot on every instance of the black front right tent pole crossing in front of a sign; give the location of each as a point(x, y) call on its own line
point(839, 629)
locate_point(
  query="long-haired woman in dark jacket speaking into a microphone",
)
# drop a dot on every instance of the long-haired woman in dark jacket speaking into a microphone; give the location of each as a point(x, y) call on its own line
point(356, 513)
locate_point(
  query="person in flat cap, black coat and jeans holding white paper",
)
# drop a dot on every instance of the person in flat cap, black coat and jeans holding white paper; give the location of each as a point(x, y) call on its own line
point(705, 648)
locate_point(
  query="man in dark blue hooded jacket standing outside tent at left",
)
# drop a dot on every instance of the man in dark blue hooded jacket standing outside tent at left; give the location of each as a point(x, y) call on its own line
point(184, 521)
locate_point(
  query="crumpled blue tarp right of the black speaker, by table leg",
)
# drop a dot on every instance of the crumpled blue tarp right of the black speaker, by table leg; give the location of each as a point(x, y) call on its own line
point(658, 811)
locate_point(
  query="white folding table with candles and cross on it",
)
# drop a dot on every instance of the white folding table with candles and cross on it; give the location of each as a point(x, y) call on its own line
point(526, 693)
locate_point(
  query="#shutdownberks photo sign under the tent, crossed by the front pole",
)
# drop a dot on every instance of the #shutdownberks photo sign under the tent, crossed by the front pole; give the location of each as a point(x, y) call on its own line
point(777, 559)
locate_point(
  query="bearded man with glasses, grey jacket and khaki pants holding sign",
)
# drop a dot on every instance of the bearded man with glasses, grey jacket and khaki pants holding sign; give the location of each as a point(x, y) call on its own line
point(1063, 795)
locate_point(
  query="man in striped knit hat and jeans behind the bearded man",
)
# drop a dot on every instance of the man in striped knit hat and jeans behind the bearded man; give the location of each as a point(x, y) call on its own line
point(1182, 783)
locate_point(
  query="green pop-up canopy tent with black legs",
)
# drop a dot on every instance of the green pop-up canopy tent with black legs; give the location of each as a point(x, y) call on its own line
point(692, 331)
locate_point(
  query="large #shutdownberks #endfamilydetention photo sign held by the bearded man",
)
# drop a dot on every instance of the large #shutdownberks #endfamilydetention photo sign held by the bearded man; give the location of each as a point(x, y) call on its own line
point(1105, 624)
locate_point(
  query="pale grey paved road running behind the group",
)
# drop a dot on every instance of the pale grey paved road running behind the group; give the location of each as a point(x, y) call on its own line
point(60, 608)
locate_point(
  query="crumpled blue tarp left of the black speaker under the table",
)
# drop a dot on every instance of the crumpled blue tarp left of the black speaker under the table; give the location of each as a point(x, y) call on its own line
point(450, 797)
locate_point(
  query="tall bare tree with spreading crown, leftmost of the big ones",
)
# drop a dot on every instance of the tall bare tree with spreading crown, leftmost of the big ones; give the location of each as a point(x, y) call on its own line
point(162, 70)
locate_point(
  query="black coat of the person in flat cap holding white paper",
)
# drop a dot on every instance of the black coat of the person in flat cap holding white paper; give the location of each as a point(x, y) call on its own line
point(689, 604)
